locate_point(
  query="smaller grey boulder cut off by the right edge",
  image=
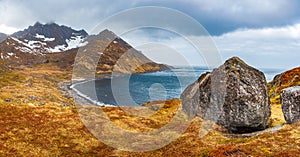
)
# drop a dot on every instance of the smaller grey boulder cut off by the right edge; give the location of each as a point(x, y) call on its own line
point(290, 100)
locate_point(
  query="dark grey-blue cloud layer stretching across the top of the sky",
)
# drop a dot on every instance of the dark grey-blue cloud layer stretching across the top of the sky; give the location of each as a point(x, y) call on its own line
point(217, 16)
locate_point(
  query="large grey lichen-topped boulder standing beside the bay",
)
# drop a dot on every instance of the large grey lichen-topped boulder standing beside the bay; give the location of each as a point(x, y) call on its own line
point(233, 95)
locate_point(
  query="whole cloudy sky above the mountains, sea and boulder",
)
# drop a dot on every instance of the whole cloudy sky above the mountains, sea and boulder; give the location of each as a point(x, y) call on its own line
point(266, 34)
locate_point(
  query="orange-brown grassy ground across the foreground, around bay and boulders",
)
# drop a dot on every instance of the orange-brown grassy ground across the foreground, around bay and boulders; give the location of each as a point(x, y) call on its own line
point(39, 119)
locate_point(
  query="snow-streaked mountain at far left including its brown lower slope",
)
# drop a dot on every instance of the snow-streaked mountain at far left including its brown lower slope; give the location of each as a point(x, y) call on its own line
point(32, 45)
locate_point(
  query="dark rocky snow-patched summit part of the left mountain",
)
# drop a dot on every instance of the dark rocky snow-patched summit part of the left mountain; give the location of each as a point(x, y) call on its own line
point(50, 37)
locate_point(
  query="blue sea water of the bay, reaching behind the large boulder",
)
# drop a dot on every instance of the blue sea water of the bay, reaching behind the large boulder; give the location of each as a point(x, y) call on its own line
point(136, 89)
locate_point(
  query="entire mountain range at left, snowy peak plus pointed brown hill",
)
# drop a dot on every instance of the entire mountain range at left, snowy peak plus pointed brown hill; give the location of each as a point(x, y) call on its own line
point(58, 44)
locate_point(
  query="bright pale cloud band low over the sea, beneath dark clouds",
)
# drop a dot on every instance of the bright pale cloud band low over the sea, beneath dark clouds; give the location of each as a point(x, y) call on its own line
point(271, 47)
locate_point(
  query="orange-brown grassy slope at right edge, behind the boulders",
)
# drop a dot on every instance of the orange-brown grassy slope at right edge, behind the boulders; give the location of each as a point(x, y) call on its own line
point(281, 81)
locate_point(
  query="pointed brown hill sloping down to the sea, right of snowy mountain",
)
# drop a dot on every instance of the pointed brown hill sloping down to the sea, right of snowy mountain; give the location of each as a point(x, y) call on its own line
point(115, 56)
